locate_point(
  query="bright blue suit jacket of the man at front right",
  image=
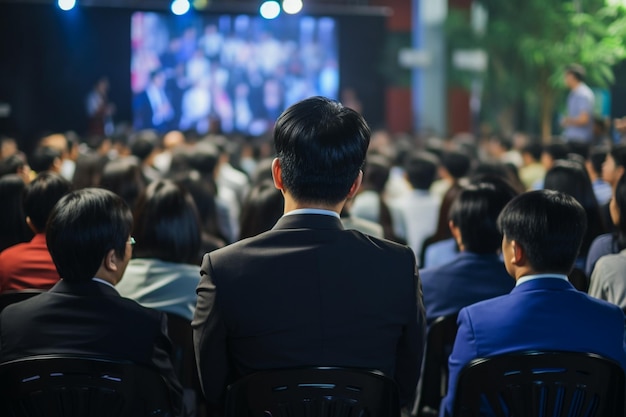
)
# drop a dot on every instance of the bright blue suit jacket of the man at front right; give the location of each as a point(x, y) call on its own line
point(542, 314)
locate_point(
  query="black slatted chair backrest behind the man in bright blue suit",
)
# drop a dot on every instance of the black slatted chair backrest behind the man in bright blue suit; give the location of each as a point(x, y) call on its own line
point(541, 384)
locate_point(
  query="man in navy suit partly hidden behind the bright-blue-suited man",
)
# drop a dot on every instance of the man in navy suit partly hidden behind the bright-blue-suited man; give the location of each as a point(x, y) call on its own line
point(477, 273)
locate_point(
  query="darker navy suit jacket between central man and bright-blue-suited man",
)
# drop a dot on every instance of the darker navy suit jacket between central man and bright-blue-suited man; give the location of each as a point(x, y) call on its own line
point(467, 279)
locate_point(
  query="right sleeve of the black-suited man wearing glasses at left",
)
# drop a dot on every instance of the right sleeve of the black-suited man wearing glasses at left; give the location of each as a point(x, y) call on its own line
point(161, 357)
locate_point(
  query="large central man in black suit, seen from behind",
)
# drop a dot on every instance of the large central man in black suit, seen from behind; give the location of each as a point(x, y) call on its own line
point(309, 292)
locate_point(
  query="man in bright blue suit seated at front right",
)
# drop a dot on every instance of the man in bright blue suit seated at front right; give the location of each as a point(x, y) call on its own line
point(542, 233)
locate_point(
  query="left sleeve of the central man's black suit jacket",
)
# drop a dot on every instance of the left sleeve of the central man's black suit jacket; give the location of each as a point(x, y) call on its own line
point(209, 336)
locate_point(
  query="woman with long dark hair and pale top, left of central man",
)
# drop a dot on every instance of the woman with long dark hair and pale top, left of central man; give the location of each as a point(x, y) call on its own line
point(163, 273)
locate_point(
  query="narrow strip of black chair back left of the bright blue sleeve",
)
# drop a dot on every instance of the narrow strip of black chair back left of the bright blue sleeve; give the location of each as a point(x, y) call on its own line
point(434, 380)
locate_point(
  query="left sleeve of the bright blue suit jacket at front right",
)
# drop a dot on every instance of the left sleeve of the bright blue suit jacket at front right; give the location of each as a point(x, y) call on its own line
point(463, 352)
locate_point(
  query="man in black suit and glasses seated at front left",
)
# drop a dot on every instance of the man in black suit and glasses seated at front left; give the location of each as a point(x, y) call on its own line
point(88, 235)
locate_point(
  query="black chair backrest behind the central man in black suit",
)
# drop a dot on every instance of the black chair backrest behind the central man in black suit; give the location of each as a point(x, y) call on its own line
point(319, 392)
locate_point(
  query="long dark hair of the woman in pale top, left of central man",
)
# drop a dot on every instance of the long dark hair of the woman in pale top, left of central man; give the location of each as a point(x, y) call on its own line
point(167, 224)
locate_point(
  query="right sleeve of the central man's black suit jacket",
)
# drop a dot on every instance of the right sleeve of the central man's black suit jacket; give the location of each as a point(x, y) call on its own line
point(411, 345)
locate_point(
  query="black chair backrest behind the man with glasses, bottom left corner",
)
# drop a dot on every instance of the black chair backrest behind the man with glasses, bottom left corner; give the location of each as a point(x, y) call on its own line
point(68, 386)
